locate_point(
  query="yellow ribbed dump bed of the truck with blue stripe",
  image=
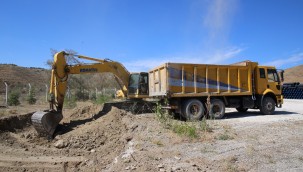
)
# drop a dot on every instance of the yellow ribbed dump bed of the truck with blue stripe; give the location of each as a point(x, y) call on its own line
point(186, 80)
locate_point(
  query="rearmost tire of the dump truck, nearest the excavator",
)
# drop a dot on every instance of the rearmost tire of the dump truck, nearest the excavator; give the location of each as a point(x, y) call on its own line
point(193, 109)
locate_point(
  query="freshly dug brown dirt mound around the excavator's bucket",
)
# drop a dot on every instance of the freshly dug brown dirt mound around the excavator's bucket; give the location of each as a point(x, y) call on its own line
point(91, 141)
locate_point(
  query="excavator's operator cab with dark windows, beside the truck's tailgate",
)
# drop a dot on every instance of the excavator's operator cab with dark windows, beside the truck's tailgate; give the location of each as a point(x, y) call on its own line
point(138, 85)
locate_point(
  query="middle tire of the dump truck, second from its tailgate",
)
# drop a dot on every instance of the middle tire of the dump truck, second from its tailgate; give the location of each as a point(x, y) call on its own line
point(217, 109)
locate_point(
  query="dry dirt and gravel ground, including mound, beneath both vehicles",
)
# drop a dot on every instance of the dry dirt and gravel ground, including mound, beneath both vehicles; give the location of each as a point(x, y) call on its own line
point(93, 138)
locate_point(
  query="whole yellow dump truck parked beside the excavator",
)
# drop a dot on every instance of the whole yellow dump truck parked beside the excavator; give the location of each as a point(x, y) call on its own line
point(196, 90)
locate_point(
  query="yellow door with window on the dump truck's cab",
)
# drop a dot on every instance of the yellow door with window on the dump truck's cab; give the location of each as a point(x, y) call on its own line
point(273, 81)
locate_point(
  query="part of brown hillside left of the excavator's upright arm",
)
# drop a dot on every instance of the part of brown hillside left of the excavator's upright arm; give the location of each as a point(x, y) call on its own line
point(17, 76)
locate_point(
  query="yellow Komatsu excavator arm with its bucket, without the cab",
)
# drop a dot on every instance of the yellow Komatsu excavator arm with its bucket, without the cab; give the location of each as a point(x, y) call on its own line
point(46, 122)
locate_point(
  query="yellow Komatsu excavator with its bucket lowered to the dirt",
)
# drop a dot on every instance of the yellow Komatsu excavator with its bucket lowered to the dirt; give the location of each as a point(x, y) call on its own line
point(133, 86)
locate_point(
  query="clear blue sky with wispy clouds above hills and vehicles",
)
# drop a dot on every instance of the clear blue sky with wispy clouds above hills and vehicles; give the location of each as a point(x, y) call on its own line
point(142, 34)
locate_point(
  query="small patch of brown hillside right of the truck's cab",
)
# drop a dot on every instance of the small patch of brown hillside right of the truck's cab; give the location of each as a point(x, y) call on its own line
point(294, 74)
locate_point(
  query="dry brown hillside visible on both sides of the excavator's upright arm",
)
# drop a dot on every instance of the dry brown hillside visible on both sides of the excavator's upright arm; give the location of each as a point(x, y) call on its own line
point(19, 77)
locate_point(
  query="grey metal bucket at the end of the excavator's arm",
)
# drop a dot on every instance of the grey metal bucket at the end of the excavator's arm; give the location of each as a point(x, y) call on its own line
point(46, 122)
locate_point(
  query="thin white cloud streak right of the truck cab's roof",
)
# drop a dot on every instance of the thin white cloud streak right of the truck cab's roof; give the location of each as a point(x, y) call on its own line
point(286, 61)
